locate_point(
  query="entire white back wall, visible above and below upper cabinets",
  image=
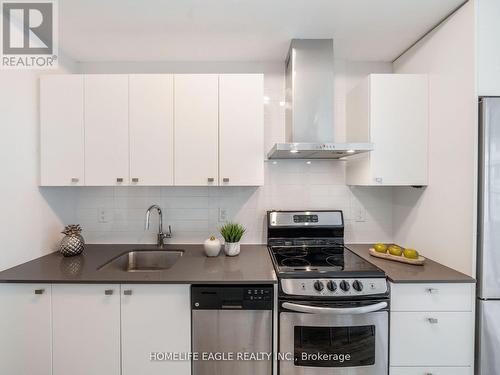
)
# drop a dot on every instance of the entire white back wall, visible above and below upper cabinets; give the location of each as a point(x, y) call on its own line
point(193, 212)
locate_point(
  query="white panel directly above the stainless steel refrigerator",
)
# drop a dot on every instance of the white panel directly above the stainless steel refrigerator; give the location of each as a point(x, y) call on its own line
point(488, 48)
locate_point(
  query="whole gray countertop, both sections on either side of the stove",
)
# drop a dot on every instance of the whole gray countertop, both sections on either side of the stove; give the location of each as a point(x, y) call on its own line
point(252, 266)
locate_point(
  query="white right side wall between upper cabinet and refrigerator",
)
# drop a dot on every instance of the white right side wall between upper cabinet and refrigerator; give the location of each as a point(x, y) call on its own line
point(440, 219)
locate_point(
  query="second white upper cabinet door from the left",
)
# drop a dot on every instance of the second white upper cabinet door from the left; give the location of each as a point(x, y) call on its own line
point(106, 130)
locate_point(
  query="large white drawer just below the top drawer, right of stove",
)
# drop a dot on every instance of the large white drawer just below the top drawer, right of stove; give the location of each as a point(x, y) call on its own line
point(431, 339)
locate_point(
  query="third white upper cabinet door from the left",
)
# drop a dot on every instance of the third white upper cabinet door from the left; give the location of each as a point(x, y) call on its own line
point(151, 129)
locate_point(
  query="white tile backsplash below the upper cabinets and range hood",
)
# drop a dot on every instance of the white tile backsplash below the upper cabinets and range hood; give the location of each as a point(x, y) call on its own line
point(193, 212)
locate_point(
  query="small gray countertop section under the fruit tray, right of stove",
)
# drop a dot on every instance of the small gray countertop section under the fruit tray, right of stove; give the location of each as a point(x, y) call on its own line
point(397, 272)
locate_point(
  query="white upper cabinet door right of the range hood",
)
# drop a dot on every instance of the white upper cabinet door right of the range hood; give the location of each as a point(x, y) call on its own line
point(399, 118)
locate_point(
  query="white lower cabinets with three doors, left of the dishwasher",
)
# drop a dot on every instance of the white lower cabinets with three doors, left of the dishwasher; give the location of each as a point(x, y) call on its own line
point(87, 329)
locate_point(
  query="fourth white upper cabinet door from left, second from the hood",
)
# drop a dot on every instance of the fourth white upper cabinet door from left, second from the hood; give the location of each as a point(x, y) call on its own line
point(196, 129)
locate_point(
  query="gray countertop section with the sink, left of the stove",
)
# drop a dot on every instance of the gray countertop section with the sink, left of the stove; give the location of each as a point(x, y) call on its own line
point(252, 266)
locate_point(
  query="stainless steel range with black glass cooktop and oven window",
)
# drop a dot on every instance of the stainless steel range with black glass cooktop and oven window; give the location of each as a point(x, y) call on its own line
point(333, 305)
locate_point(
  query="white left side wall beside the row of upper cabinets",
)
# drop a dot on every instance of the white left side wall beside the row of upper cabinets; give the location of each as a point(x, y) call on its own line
point(31, 218)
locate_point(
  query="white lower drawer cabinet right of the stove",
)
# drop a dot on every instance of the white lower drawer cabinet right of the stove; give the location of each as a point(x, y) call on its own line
point(432, 329)
